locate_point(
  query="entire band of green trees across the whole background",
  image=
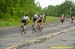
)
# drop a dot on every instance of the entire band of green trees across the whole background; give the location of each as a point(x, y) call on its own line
point(17, 8)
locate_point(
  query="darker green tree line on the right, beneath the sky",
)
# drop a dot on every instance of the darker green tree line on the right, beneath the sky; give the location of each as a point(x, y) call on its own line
point(67, 8)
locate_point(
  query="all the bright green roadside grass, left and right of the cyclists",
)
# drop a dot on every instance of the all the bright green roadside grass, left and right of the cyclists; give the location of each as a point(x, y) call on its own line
point(15, 22)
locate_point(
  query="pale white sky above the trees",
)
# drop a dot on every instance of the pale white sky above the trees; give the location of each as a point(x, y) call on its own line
point(45, 3)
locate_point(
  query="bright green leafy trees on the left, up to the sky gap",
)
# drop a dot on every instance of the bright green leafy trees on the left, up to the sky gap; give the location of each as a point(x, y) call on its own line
point(17, 8)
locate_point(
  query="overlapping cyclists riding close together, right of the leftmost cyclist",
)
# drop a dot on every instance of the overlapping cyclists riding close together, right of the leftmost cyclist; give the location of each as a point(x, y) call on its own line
point(38, 21)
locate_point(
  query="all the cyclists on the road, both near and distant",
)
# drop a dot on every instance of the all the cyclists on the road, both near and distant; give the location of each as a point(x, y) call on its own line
point(38, 21)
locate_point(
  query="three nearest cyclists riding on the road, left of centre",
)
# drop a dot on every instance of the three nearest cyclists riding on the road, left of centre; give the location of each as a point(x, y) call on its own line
point(37, 22)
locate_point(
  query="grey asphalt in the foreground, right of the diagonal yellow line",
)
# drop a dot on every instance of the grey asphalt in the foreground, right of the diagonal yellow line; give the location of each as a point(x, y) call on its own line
point(63, 41)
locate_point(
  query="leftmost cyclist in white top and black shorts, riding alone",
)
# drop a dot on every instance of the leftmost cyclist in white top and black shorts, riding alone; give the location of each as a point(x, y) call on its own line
point(24, 21)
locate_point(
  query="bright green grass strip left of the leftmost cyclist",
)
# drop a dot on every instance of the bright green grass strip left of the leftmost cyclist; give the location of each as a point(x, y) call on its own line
point(9, 22)
